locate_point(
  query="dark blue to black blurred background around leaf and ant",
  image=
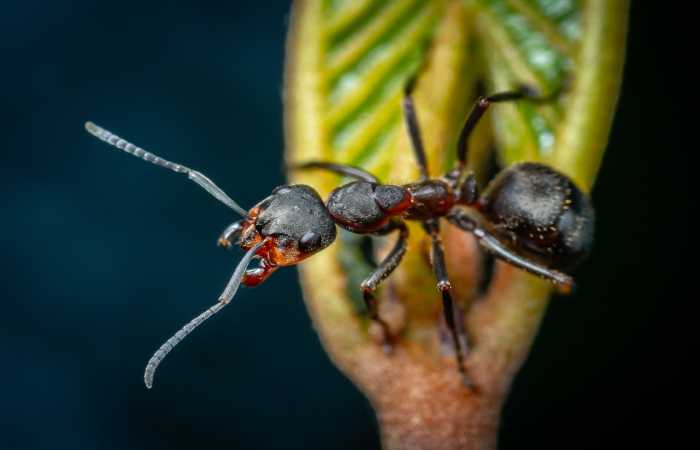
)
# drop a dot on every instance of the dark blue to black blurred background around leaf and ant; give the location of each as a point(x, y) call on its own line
point(105, 256)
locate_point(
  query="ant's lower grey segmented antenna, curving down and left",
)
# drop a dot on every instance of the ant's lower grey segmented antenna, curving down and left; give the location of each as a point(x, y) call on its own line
point(224, 300)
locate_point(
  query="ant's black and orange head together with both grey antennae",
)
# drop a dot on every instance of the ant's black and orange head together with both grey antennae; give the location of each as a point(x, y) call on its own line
point(286, 227)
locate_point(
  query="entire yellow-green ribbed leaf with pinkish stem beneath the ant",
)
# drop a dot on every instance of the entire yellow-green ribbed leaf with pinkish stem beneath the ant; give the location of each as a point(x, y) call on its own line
point(347, 64)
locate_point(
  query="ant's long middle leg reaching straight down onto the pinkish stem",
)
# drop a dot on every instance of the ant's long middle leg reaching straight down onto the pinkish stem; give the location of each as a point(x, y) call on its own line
point(432, 226)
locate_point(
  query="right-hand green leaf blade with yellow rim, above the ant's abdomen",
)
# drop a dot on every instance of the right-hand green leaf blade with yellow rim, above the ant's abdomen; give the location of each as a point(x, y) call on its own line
point(571, 47)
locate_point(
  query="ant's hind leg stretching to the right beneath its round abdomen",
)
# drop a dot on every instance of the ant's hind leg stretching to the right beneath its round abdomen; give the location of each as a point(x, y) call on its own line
point(494, 246)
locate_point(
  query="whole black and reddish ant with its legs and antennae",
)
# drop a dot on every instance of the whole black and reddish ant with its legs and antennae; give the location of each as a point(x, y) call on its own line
point(530, 216)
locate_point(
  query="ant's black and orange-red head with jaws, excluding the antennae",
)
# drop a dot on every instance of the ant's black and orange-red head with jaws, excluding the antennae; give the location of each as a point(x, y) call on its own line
point(293, 222)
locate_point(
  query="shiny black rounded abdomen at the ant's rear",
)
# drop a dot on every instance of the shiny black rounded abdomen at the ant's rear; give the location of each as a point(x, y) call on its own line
point(541, 213)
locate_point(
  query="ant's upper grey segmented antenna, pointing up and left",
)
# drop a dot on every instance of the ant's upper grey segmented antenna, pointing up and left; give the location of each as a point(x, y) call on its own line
point(197, 177)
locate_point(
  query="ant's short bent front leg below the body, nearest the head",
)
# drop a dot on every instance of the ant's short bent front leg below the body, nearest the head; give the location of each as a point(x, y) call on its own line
point(369, 285)
